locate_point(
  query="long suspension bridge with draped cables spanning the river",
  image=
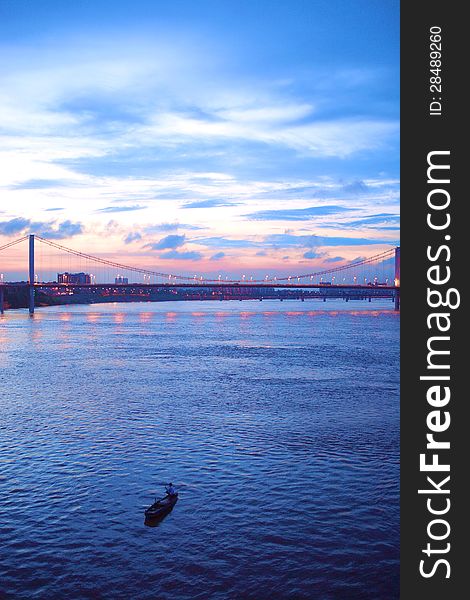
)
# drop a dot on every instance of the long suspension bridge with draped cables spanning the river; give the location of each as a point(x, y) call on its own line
point(375, 276)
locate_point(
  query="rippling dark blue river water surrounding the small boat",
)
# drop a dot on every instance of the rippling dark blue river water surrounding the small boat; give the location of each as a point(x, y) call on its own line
point(277, 421)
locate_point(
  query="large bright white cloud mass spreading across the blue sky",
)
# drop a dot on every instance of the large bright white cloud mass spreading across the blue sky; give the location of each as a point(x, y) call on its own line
point(69, 111)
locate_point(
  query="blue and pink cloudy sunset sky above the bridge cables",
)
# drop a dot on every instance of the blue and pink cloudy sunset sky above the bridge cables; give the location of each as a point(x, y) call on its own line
point(201, 137)
